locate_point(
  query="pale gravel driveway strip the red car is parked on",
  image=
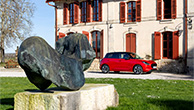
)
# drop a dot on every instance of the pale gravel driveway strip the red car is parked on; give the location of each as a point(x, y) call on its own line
point(18, 72)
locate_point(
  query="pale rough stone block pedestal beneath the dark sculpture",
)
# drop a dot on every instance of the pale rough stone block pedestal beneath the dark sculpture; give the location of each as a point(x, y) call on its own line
point(89, 97)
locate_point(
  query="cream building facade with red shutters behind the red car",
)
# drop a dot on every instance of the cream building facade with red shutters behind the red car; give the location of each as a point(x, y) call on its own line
point(154, 29)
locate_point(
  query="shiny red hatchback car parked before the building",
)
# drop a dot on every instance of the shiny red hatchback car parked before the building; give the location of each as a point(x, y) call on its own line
point(126, 61)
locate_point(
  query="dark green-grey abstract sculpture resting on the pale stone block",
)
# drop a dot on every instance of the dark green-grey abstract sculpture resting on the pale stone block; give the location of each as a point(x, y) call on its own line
point(64, 66)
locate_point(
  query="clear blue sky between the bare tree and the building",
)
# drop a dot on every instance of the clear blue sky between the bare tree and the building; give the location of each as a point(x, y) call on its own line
point(44, 23)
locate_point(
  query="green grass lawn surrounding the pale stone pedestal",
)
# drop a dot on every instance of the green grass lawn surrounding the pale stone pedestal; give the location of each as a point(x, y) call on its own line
point(134, 94)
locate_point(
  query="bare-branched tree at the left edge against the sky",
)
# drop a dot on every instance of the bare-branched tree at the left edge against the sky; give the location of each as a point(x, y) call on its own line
point(15, 22)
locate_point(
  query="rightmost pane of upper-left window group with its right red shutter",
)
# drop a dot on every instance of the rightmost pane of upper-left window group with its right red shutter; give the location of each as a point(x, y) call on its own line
point(97, 10)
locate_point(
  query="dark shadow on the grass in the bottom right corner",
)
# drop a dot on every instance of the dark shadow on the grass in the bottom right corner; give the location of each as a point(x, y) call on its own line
point(174, 104)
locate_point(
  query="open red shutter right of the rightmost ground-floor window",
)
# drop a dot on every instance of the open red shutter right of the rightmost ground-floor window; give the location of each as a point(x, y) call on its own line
point(175, 46)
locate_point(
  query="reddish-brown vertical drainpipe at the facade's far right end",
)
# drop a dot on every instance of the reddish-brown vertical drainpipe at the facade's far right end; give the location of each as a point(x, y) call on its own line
point(186, 31)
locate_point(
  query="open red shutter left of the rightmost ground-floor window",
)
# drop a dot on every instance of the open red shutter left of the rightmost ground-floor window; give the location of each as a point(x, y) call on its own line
point(157, 45)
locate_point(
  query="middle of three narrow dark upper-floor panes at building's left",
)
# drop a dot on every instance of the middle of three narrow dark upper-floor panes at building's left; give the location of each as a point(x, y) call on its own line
point(83, 11)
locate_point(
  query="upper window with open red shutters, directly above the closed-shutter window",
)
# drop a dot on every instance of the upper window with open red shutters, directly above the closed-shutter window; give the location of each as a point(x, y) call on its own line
point(133, 11)
